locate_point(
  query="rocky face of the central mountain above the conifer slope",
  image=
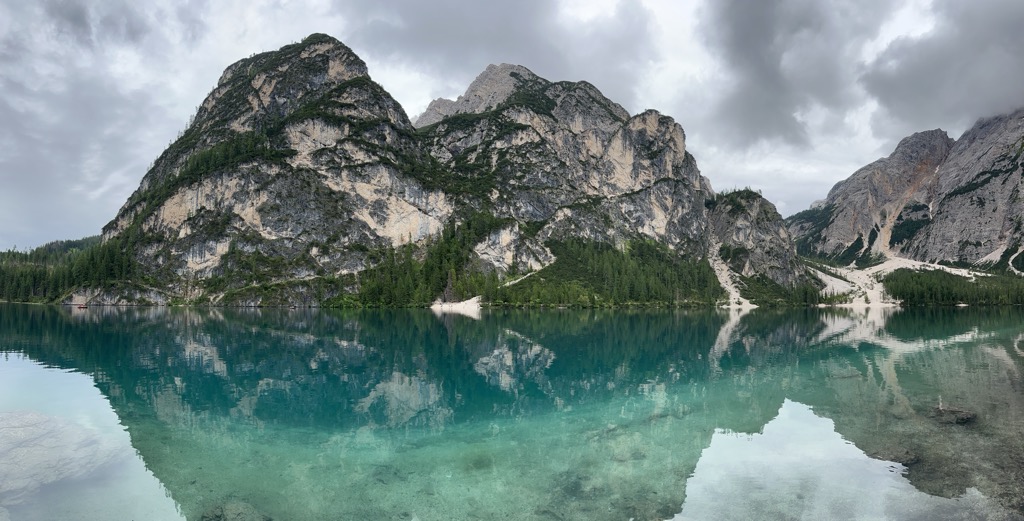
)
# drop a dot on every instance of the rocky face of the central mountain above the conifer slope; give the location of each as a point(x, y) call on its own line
point(565, 161)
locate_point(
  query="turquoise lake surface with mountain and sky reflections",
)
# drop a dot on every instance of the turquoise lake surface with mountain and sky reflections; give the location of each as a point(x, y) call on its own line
point(194, 414)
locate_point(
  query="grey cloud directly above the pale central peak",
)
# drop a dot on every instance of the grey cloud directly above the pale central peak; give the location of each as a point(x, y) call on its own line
point(457, 39)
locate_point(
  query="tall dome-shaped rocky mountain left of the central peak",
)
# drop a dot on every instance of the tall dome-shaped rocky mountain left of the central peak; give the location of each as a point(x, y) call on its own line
point(293, 168)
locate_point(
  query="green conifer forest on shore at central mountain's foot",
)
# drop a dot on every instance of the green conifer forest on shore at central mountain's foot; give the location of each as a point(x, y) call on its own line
point(586, 274)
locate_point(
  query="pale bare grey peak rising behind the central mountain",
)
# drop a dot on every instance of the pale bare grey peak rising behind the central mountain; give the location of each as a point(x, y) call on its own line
point(489, 91)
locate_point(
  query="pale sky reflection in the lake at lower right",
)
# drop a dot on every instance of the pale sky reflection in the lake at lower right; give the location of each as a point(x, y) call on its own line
point(800, 468)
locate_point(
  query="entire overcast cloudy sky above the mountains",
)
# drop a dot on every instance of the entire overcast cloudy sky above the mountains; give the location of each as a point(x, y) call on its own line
point(784, 97)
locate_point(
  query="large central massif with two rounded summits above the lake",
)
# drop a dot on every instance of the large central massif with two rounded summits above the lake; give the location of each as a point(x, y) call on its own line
point(302, 181)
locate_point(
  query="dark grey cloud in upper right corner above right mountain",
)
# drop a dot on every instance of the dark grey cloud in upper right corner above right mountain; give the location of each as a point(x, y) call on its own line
point(968, 67)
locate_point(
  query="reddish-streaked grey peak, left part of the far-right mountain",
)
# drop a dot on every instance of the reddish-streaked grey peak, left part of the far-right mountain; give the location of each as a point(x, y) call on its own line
point(861, 213)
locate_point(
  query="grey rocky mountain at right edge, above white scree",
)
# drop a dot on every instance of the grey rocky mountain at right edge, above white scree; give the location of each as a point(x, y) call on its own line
point(932, 200)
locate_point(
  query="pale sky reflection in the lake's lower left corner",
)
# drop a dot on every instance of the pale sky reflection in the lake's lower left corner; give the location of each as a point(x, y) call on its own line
point(63, 453)
